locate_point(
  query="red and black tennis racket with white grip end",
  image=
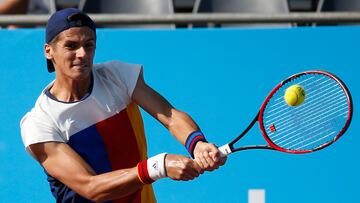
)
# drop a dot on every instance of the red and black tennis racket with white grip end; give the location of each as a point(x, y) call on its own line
point(319, 121)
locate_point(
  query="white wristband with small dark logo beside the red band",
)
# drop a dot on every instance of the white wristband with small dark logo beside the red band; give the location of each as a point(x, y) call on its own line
point(156, 166)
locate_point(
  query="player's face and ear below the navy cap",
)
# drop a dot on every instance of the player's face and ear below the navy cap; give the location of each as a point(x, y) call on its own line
point(72, 53)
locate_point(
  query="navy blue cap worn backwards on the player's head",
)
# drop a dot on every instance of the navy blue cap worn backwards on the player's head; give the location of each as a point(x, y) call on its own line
point(63, 20)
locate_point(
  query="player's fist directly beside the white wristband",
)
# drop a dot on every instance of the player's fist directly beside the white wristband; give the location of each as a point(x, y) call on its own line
point(181, 167)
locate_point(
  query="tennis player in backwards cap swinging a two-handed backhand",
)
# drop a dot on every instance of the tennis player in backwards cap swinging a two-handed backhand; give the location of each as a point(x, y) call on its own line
point(86, 129)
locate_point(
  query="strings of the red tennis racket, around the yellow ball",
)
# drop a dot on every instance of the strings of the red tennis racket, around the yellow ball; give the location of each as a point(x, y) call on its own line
point(312, 124)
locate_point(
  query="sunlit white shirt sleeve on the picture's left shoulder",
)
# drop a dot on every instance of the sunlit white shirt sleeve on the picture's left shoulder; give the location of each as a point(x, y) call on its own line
point(38, 129)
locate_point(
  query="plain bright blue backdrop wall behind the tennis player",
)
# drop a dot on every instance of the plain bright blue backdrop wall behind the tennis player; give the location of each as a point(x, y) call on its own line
point(220, 77)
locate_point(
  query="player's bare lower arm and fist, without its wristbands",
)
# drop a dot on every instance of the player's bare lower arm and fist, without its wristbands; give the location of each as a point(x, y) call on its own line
point(64, 164)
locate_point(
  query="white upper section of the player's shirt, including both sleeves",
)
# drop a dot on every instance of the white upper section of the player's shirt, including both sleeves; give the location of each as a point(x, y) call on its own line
point(51, 120)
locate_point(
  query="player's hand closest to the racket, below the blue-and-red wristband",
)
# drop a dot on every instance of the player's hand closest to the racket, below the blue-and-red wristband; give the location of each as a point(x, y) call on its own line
point(208, 156)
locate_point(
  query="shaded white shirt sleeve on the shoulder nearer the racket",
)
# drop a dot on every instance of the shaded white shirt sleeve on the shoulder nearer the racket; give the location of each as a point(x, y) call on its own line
point(127, 73)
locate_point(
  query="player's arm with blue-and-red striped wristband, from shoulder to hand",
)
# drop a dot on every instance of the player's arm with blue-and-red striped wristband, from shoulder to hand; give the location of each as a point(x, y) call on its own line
point(179, 123)
